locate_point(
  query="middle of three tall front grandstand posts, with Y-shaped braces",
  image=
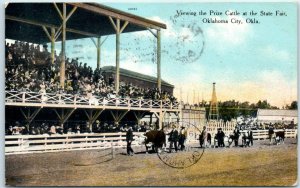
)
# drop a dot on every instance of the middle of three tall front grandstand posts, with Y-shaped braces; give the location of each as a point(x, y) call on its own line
point(118, 30)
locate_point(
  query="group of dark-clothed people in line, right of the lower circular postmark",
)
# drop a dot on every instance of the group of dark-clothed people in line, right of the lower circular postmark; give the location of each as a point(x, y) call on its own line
point(247, 137)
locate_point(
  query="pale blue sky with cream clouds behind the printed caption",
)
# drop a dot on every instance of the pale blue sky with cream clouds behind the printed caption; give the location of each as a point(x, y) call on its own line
point(248, 62)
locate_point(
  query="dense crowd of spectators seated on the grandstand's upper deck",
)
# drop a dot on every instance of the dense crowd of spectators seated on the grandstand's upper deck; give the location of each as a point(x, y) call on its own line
point(28, 68)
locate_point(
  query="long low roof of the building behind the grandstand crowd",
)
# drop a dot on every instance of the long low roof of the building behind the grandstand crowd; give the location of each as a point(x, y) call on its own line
point(136, 75)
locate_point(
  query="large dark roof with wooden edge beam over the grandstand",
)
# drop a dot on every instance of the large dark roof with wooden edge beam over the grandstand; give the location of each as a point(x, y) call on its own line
point(24, 21)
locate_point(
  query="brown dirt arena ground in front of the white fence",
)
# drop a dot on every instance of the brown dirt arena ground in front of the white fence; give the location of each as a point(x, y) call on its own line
point(261, 165)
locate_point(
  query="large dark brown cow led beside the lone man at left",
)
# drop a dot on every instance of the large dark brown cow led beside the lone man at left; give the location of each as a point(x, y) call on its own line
point(157, 138)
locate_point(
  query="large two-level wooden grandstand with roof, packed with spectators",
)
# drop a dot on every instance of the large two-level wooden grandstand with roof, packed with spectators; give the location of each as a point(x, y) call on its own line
point(45, 88)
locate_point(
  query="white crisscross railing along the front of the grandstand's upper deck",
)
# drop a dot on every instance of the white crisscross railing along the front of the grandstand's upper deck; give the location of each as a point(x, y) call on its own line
point(52, 99)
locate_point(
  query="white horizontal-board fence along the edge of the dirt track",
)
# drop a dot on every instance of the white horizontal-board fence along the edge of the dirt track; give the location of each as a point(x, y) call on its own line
point(18, 144)
